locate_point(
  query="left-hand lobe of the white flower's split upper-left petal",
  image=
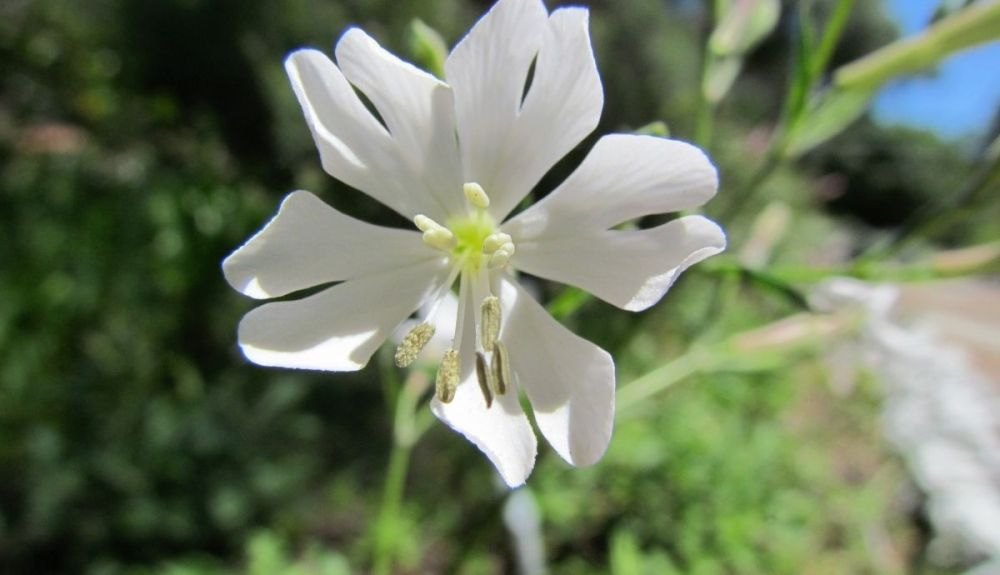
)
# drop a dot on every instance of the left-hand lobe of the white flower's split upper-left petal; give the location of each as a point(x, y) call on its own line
point(354, 147)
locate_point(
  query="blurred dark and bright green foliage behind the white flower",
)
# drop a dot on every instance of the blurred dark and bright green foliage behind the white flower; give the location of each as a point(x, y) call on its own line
point(140, 142)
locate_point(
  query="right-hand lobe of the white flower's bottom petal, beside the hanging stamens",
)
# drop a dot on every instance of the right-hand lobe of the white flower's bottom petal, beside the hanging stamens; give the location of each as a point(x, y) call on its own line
point(570, 381)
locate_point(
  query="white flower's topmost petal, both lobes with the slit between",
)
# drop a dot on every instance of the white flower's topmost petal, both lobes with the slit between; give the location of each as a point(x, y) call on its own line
point(507, 145)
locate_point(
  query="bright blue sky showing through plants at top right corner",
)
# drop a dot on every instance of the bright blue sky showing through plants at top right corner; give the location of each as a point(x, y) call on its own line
point(958, 99)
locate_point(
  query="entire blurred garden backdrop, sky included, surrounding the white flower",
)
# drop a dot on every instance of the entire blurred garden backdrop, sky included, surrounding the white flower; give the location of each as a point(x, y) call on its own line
point(772, 419)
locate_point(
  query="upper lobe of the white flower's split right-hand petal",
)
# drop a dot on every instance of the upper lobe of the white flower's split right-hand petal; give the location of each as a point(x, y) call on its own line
point(622, 178)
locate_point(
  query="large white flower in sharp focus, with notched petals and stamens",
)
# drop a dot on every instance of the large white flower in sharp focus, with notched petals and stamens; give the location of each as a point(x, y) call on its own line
point(457, 158)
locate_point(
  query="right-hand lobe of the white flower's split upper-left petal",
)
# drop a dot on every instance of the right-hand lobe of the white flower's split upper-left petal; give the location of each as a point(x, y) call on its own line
point(419, 111)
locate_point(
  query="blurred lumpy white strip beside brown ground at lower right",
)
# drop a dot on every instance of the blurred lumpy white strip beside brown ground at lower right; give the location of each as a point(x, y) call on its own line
point(941, 414)
